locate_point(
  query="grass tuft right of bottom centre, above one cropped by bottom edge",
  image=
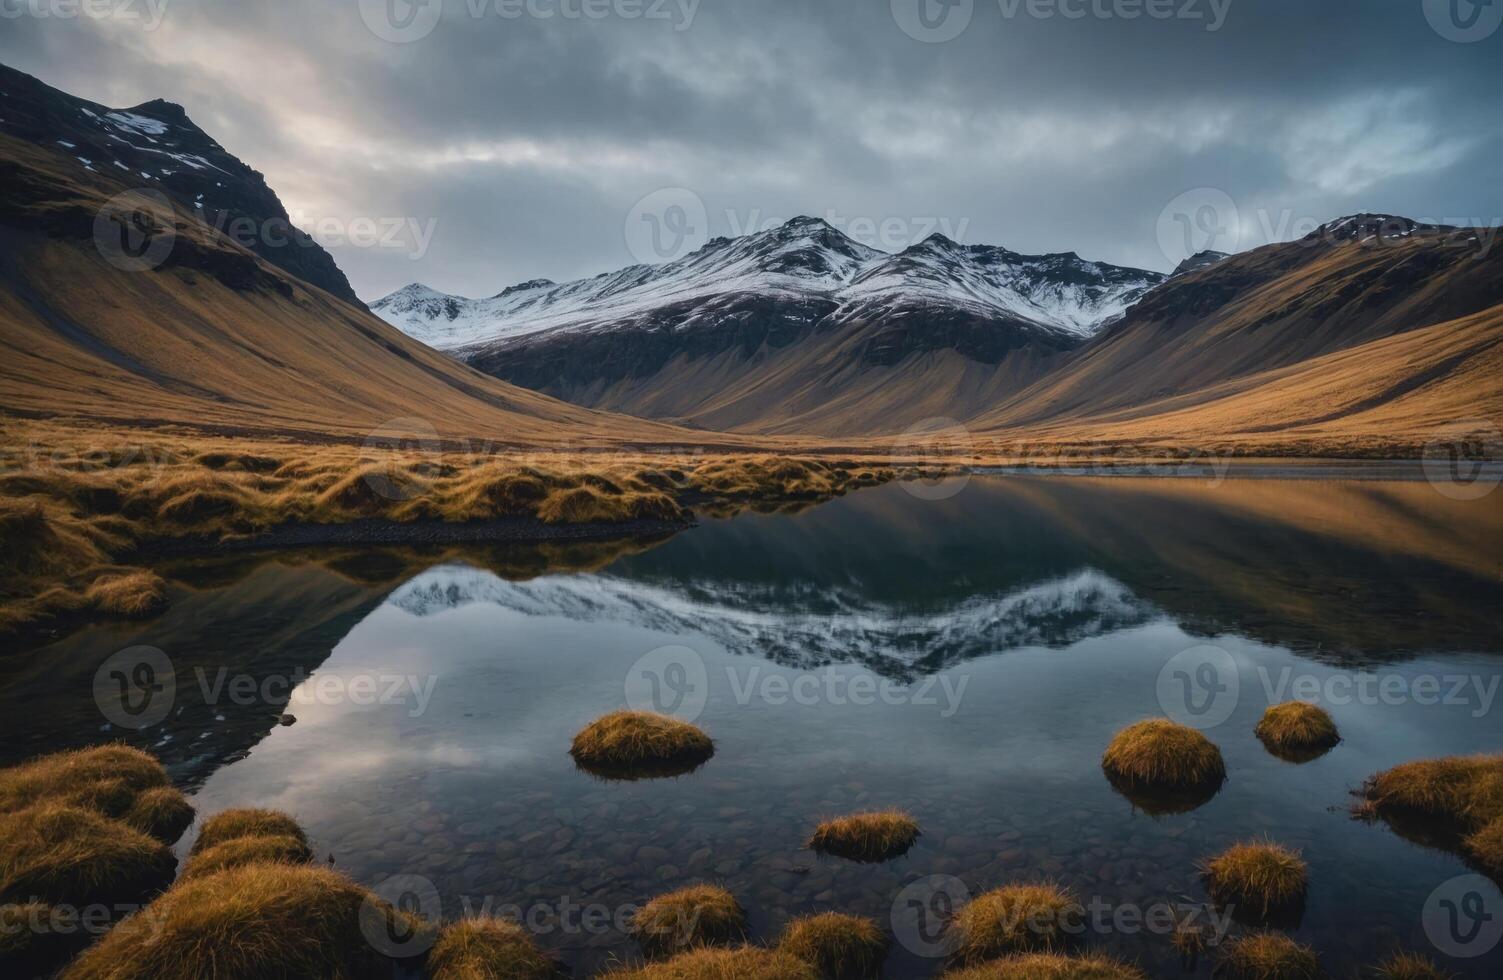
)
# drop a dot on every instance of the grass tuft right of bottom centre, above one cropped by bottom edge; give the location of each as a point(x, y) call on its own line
point(1015, 919)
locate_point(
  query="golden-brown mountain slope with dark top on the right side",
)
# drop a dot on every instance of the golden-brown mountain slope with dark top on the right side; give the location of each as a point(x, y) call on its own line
point(1373, 328)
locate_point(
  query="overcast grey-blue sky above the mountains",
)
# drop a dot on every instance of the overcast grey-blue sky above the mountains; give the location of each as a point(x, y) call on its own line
point(527, 135)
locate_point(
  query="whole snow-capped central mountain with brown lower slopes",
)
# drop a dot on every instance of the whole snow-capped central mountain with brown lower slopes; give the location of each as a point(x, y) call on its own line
point(797, 328)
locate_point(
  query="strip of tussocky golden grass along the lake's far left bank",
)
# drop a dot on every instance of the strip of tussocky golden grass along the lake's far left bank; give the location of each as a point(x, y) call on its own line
point(76, 503)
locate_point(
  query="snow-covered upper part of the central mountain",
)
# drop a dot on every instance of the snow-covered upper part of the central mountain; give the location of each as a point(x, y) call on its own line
point(805, 259)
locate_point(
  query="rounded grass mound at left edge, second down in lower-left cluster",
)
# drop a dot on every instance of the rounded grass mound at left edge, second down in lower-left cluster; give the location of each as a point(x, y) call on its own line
point(64, 854)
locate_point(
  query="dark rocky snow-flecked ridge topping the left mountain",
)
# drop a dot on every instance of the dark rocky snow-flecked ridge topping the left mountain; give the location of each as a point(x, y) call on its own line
point(157, 147)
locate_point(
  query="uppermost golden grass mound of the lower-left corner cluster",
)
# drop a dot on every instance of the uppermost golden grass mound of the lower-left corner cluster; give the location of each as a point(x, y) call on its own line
point(113, 781)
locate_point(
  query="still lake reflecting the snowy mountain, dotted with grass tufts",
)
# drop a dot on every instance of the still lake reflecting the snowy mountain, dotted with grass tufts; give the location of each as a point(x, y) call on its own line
point(966, 659)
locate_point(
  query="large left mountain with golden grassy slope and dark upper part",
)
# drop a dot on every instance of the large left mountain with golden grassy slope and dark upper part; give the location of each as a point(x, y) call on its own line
point(213, 334)
